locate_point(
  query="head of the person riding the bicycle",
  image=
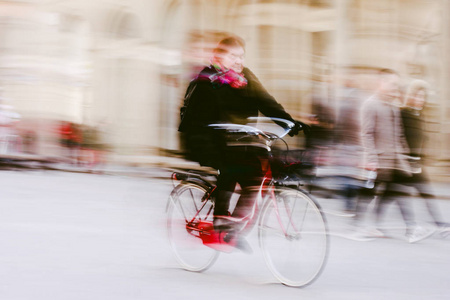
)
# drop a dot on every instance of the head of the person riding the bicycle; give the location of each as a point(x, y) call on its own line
point(230, 53)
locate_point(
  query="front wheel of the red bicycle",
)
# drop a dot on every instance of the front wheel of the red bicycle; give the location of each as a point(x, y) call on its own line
point(293, 235)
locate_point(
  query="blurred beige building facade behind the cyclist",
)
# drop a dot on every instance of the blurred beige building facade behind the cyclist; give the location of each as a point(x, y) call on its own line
point(122, 66)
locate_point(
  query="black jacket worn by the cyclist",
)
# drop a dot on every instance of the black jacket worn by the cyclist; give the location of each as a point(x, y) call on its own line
point(211, 102)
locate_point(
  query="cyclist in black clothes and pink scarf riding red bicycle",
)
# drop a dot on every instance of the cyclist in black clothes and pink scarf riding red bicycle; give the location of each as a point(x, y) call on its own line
point(226, 92)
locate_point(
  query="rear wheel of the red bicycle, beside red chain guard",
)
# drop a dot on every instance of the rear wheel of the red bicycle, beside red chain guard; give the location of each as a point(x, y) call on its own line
point(187, 214)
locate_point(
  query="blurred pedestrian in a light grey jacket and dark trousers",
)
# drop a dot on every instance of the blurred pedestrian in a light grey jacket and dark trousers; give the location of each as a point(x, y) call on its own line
point(386, 153)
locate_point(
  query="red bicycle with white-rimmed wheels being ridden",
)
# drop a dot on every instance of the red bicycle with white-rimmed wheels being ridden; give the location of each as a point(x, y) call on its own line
point(292, 230)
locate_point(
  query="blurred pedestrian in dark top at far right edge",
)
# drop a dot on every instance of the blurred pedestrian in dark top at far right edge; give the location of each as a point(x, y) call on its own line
point(414, 126)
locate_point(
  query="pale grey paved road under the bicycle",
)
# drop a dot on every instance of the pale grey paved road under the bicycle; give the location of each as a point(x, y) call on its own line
point(83, 236)
